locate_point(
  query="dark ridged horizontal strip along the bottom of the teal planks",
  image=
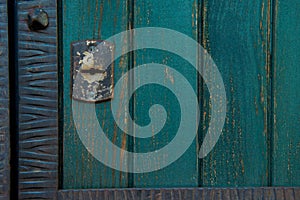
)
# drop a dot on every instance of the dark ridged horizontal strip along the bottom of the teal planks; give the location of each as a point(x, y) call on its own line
point(183, 193)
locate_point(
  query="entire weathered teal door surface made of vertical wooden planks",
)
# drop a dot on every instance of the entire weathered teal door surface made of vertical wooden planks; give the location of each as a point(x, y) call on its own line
point(256, 49)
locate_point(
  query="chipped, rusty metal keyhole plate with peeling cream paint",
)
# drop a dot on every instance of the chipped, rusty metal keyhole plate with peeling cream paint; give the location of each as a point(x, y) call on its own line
point(91, 71)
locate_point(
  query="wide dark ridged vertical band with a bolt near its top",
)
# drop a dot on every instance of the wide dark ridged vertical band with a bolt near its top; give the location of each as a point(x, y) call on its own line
point(38, 104)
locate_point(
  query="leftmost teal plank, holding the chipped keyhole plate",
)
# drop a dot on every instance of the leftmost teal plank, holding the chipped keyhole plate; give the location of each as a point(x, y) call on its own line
point(82, 20)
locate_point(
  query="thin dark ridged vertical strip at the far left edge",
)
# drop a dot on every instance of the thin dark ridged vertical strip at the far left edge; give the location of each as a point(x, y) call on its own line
point(4, 104)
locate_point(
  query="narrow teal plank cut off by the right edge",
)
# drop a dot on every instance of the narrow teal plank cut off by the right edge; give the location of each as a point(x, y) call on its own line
point(286, 94)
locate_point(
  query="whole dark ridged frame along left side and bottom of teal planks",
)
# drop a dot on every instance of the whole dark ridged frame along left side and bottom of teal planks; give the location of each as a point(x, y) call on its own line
point(38, 129)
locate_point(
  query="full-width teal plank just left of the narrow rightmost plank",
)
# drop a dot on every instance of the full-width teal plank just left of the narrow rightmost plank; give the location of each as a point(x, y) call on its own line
point(237, 35)
